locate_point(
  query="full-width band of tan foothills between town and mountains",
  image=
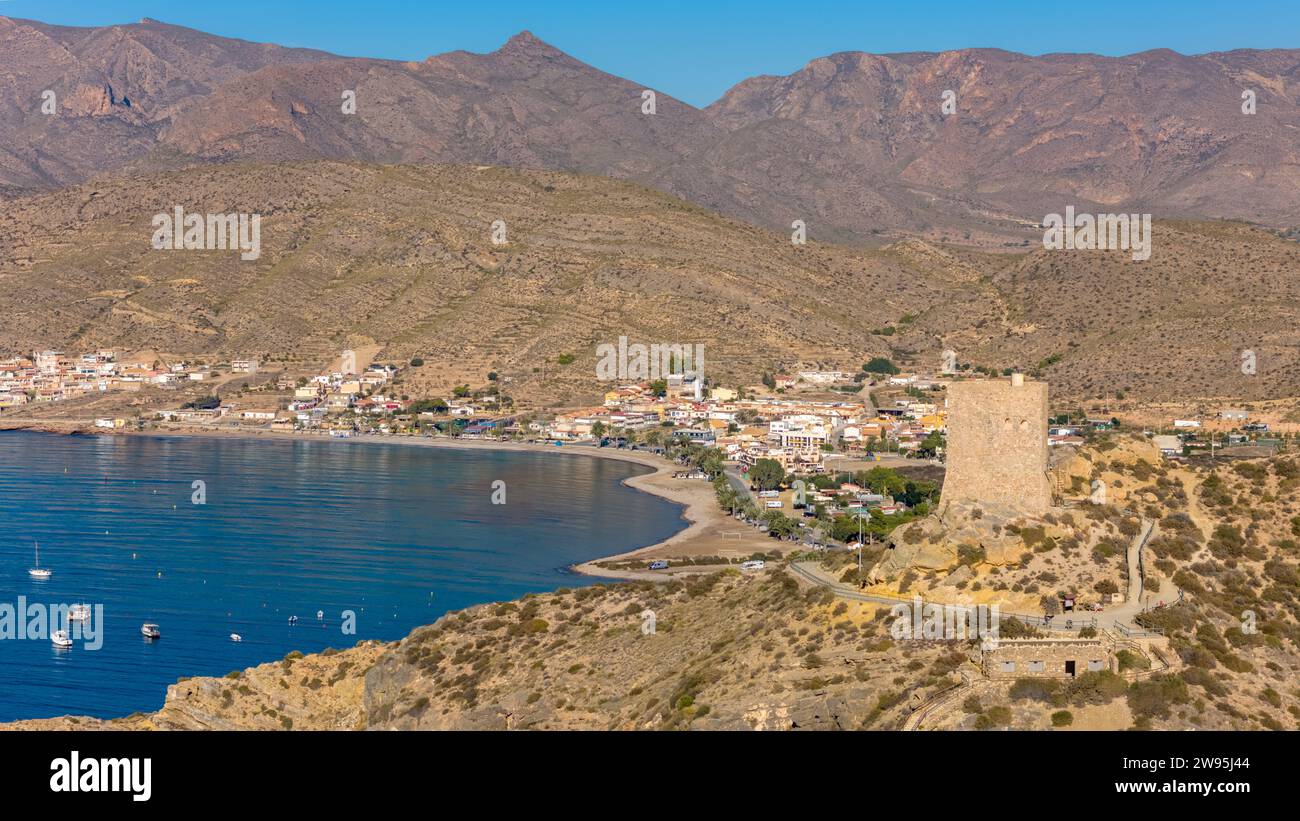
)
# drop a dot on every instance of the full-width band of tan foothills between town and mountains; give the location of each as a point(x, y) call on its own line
point(404, 258)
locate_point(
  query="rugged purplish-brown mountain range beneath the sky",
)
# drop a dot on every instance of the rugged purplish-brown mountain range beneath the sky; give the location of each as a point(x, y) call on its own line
point(855, 145)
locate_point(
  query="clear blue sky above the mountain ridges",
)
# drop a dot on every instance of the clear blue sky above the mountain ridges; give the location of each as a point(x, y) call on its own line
point(696, 51)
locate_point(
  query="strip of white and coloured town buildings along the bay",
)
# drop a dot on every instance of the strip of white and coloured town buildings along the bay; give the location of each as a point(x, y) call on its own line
point(807, 422)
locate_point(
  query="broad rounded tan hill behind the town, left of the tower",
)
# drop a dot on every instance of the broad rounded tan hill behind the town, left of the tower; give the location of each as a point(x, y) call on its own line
point(404, 258)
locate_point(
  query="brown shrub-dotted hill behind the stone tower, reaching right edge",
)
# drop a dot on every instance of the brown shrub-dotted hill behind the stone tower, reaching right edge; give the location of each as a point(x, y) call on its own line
point(1177, 325)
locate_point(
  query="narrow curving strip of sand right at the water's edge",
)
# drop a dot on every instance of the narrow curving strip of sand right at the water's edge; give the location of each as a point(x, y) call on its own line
point(695, 498)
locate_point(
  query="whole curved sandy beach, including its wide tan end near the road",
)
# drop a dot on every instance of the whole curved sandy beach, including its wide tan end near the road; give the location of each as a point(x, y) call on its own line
point(709, 532)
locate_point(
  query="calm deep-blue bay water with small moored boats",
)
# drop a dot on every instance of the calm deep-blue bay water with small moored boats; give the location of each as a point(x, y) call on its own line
point(397, 535)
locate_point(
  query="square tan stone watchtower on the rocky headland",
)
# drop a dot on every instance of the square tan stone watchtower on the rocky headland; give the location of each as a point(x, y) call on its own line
point(998, 445)
